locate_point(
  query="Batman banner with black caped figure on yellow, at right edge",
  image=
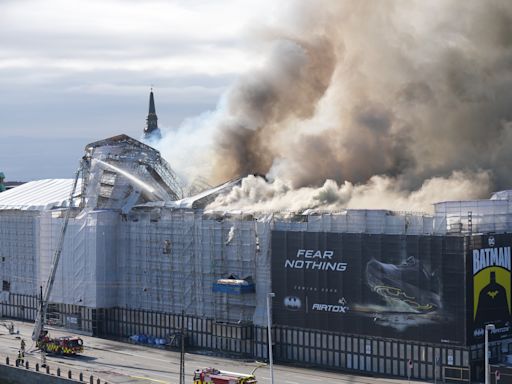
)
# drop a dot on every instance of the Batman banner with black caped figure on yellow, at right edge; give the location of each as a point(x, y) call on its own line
point(489, 288)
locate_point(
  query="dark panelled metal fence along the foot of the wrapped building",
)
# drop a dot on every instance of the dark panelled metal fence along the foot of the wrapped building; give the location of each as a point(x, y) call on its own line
point(313, 348)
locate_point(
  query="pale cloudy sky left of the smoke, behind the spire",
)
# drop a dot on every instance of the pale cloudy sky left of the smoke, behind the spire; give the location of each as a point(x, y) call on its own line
point(76, 71)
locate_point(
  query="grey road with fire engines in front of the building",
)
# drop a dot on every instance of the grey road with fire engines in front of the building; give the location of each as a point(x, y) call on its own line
point(121, 363)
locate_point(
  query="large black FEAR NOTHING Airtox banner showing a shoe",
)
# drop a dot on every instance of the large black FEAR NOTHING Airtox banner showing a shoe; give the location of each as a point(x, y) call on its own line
point(409, 287)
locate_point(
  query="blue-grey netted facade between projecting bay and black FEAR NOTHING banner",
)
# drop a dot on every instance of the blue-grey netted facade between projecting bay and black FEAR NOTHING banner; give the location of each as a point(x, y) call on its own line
point(171, 259)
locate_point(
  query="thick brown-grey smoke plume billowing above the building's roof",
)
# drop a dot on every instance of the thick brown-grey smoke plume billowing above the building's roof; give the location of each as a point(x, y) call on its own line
point(413, 93)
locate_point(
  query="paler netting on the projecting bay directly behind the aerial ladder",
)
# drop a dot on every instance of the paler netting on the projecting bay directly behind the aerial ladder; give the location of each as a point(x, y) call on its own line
point(85, 272)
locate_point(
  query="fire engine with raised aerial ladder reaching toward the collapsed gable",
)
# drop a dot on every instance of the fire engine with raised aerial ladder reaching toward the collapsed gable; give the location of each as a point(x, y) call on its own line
point(61, 345)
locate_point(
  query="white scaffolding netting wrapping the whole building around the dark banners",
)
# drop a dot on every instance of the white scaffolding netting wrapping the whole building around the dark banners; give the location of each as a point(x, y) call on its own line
point(128, 248)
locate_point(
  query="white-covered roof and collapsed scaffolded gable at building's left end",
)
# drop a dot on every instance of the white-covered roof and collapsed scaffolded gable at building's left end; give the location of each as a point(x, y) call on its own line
point(117, 173)
